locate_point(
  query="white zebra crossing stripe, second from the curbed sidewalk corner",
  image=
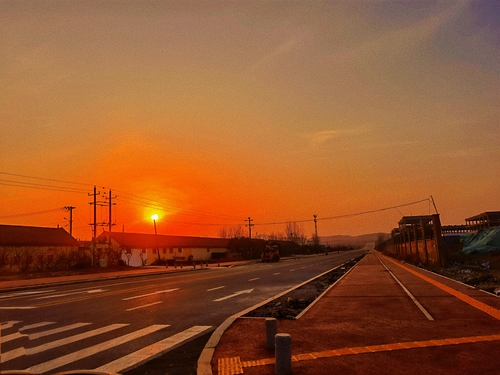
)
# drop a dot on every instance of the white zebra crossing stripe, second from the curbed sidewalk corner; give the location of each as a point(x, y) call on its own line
point(84, 353)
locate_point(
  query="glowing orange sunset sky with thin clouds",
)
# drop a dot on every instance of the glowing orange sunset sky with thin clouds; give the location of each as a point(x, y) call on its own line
point(271, 110)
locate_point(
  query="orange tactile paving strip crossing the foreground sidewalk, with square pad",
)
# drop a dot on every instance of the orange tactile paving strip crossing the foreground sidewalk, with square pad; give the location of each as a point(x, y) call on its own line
point(234, 365)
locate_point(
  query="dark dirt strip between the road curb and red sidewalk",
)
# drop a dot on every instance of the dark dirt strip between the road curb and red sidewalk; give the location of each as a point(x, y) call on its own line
point(292, 304)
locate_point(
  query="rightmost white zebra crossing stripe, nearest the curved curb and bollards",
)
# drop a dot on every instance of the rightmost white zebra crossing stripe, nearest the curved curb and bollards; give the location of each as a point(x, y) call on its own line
point(150, 352)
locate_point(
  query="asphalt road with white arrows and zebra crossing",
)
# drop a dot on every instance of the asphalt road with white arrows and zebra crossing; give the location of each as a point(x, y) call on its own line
point(122, 324)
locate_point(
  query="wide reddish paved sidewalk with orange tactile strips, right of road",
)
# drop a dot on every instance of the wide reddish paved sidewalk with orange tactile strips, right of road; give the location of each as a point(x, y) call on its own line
point(383, 317)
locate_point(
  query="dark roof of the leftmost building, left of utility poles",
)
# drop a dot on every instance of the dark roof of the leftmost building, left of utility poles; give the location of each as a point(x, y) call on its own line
point(16, 235)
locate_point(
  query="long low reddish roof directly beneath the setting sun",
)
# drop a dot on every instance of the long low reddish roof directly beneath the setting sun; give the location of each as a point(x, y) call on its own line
point(143, 241)
